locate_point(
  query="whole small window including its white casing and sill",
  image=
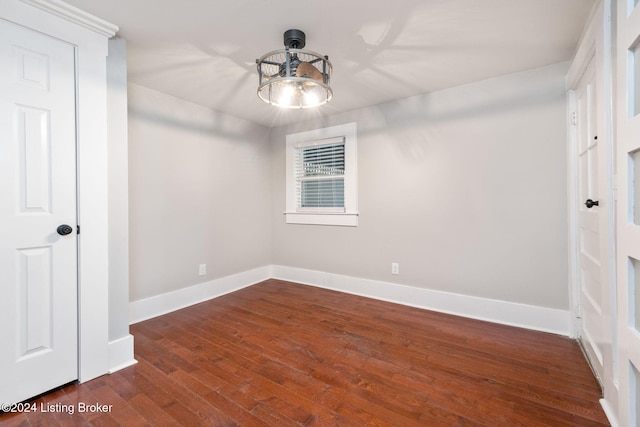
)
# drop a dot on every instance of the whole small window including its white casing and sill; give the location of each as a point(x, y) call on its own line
point(321, 176)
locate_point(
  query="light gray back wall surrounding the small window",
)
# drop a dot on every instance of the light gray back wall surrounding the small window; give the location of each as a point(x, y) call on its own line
point(465, 188)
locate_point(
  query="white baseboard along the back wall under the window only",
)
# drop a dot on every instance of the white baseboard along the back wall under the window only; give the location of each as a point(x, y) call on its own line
point(503, 312)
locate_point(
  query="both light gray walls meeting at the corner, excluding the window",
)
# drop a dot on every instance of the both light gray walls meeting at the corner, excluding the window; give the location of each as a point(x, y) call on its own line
point(465, 188)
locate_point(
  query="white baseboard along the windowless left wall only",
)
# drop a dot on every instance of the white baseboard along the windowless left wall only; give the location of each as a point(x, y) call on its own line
point(165, 303)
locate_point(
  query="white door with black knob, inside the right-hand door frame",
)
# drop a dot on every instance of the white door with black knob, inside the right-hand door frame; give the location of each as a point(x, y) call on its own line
point(590, 244)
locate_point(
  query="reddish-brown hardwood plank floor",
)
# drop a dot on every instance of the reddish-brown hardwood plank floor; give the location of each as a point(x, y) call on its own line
point(282, 354)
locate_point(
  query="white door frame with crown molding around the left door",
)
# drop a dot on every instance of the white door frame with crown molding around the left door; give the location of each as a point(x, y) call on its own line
point(90, 36)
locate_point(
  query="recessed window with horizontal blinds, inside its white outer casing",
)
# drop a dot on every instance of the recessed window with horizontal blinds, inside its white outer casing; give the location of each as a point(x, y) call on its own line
point(320, 174)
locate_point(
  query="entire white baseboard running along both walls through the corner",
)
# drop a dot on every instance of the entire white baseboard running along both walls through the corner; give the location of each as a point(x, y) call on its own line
point(503, 312)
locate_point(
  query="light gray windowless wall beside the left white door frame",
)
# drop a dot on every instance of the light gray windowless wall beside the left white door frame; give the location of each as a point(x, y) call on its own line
point(199, 193)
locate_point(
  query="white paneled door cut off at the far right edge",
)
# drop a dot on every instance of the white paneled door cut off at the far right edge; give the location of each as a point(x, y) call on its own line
point(628, 233)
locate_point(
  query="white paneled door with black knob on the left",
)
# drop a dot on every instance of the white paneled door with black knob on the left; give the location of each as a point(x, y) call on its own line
point(38, 266)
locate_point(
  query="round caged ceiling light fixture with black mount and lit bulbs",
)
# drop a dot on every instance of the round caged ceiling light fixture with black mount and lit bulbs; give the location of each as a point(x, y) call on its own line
point(293, 77)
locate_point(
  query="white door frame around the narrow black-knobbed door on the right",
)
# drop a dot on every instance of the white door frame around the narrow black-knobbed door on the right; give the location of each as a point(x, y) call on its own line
point(596, 44)
